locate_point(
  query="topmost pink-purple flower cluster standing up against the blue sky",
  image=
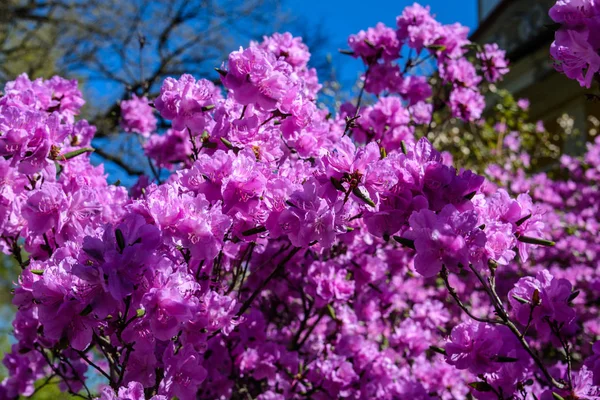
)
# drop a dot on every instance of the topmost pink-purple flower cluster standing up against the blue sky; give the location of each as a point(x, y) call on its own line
point(392, 120)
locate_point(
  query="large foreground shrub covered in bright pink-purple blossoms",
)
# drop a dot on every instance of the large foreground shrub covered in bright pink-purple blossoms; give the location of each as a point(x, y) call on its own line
point(290, 253)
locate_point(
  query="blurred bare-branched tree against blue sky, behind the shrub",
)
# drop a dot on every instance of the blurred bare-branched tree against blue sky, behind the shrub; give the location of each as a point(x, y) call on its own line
point(117, 48)
